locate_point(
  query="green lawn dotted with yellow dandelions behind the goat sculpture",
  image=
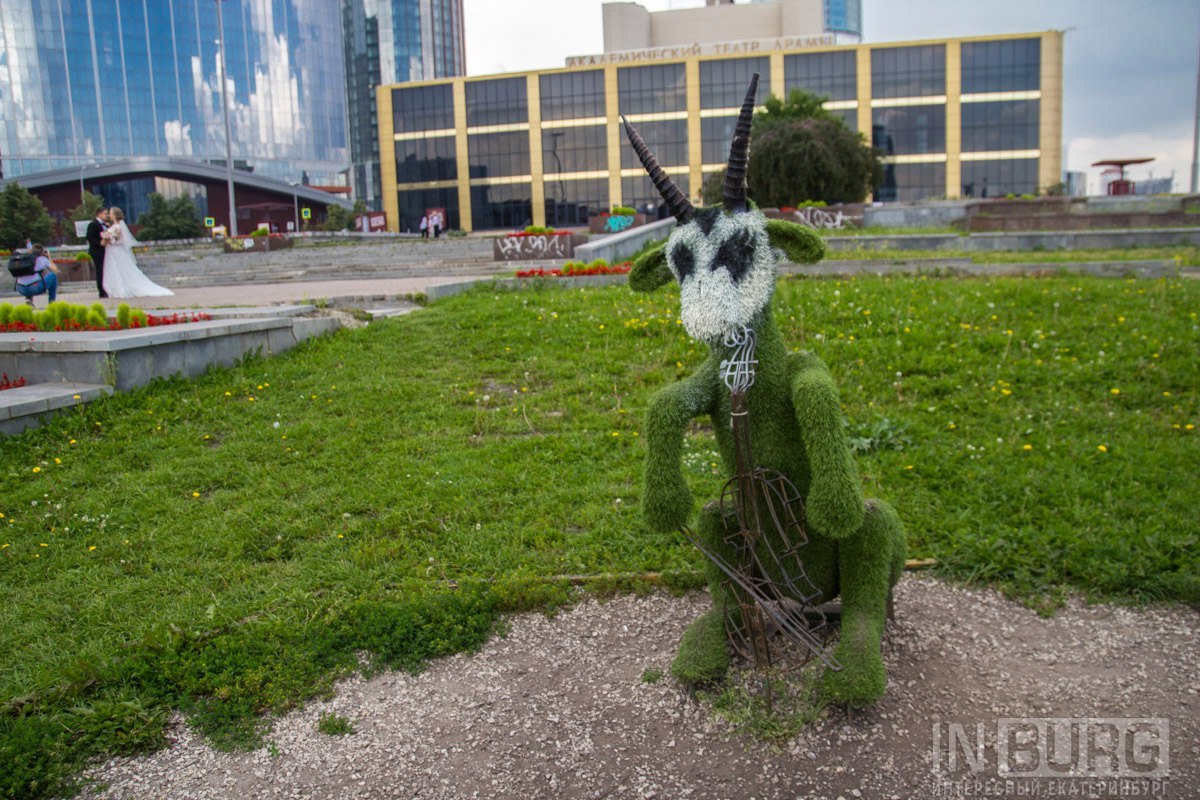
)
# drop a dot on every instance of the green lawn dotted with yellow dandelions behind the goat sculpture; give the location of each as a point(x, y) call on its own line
point(227, 546)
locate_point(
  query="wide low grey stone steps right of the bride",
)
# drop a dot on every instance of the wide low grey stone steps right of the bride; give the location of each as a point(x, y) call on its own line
point(208, 266)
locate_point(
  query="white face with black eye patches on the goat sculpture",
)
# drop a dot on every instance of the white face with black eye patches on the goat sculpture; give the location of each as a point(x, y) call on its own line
point(727, 272)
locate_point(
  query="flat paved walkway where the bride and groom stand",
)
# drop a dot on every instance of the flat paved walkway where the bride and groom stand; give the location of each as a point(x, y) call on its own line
point(375, 291)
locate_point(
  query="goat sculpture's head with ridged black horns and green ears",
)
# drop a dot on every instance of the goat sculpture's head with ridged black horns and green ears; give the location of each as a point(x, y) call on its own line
point(724, 256)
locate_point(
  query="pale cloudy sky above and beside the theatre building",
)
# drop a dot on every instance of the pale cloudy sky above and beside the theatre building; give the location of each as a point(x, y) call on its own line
point(1130, 67)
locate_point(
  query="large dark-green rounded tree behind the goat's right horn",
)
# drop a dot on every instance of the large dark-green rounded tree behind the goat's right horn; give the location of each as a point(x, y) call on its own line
point(803, 153)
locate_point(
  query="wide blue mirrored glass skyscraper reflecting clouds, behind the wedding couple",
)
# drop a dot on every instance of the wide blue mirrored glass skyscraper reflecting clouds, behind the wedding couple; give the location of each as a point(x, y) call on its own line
point(91, 81)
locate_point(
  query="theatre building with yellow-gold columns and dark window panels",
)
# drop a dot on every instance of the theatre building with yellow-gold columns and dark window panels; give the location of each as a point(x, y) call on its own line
point(976, 117)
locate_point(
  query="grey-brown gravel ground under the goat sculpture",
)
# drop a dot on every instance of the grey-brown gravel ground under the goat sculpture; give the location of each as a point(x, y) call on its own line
point(557, 709)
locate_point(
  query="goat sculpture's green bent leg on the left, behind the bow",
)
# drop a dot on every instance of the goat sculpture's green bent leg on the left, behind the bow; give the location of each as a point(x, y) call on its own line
point(704, 654)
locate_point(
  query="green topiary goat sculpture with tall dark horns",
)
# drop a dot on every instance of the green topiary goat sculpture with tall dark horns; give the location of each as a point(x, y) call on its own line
point(725, 262)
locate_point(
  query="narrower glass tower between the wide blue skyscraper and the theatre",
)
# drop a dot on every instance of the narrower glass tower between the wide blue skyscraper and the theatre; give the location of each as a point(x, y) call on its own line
point(393, 41)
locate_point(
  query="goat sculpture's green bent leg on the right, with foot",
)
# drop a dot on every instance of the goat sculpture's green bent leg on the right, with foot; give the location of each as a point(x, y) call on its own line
point(869, 564)
